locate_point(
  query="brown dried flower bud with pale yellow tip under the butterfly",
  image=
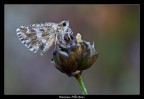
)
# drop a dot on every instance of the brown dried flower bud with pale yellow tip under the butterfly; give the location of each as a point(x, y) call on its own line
point(74, 56)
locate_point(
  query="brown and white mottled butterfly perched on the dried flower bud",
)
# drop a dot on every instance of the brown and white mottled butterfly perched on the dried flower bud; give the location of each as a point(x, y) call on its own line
point(43, 36)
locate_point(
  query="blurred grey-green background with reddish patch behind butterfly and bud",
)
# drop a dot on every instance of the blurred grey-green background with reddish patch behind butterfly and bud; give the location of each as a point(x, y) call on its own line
point(115, 30)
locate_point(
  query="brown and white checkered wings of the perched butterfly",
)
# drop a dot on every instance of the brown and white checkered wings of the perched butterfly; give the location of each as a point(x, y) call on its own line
point(36, 35)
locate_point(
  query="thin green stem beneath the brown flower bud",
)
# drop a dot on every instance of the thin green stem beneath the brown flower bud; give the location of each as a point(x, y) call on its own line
point(80, 81)
